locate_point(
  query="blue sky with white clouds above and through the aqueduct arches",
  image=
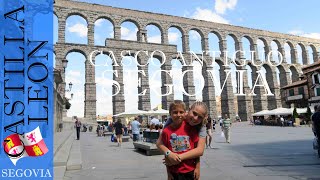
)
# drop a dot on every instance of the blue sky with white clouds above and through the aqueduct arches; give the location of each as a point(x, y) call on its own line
point(284, 16)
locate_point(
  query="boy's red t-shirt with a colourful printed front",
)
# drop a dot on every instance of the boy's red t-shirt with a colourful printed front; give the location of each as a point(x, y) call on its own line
point(180, 140)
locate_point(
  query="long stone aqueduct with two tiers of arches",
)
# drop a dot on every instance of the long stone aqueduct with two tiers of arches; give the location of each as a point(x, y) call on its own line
point(289, 69)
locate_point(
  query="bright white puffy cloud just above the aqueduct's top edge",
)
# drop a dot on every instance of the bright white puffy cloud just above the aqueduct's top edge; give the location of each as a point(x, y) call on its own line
point(208, 15)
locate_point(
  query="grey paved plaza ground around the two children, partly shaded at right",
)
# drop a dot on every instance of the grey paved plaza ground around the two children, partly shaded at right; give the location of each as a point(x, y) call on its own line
point(257, 152)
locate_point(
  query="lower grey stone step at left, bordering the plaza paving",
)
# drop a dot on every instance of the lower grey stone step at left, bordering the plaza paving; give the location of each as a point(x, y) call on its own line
point(75, 160)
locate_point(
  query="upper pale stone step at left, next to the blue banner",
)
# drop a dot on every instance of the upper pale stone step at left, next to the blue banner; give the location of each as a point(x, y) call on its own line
point(62, 155)
